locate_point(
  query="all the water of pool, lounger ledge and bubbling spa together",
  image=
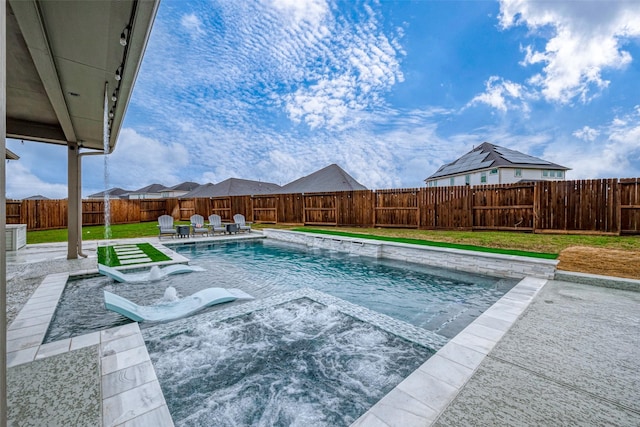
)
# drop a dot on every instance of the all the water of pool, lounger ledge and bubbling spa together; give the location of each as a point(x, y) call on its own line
point(295, 362)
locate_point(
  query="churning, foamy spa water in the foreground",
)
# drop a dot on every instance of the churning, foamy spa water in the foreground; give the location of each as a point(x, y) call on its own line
point(295, 364)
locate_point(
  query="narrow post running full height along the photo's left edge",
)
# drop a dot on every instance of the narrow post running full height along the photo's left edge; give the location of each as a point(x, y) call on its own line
point(3, 215)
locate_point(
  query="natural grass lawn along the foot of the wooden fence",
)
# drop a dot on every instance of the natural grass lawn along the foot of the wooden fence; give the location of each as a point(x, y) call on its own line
point(549, 244)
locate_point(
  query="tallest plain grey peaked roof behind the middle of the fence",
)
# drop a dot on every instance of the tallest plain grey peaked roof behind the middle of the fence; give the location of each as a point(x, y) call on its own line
point(331, 178)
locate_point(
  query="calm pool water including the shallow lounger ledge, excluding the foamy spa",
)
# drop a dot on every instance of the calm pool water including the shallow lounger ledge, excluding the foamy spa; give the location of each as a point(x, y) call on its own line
point(439, 300)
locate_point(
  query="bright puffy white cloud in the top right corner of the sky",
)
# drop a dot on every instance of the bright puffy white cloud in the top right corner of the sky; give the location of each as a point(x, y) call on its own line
point(587, 39)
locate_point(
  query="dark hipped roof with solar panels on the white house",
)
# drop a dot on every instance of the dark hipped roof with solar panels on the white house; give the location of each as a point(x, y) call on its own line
point(488, 155)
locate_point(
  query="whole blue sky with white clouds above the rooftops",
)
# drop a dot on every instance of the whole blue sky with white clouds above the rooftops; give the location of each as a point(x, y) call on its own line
point(272, 90)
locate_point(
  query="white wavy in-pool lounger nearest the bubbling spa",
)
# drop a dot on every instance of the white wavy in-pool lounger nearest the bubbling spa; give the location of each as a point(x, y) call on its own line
point(173, 310)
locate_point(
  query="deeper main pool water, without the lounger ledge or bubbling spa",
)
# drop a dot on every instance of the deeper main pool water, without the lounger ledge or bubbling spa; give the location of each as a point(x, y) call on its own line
point(440, 300)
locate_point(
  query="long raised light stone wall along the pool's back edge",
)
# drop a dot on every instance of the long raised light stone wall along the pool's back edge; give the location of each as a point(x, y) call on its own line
point(497, 265)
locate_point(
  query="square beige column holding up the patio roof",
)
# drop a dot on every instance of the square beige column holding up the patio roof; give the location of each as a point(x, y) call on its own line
point(74, 226)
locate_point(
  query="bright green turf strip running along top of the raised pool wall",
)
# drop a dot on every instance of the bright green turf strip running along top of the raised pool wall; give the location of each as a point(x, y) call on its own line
point(432, 243)
